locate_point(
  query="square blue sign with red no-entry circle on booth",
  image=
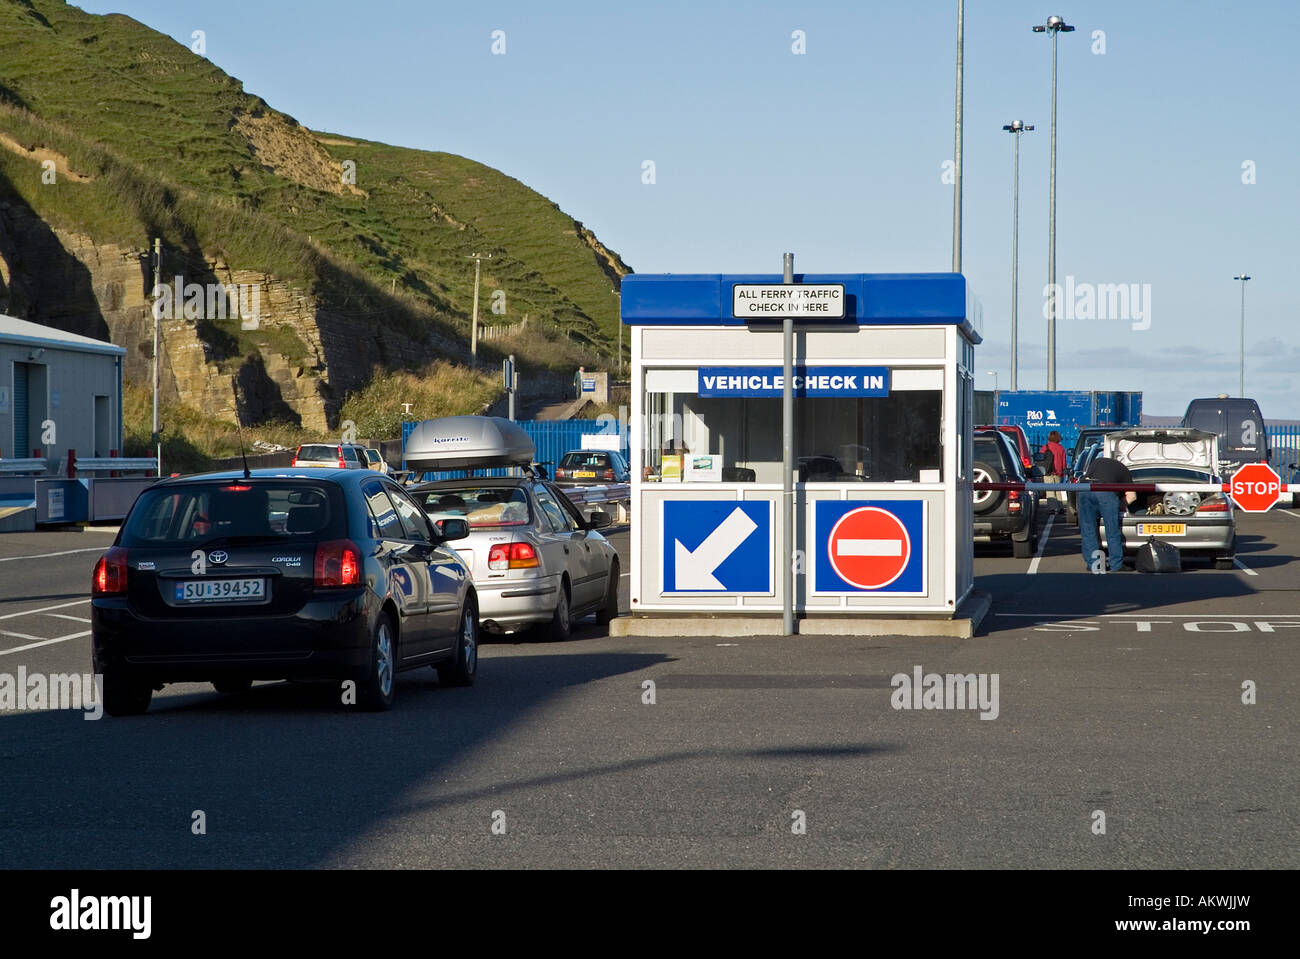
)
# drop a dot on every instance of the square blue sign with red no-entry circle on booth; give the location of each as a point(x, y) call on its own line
point(870, 546)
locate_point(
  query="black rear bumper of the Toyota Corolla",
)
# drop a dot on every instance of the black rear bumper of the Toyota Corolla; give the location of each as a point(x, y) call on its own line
point(327, 640)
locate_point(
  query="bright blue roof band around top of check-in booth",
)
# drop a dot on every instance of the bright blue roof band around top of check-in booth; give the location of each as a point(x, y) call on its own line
point(872, 300)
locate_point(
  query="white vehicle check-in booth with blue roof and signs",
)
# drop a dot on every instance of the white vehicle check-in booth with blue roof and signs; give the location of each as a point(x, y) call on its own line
point(883, 403)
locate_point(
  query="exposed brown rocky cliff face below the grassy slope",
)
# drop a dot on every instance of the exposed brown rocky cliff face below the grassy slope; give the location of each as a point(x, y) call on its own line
point(298, 363)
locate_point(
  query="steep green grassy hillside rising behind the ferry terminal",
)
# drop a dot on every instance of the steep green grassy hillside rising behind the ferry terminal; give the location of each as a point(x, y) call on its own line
point(151, 140)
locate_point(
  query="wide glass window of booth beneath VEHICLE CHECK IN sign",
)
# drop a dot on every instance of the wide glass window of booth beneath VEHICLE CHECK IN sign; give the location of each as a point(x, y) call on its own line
point(894, 439)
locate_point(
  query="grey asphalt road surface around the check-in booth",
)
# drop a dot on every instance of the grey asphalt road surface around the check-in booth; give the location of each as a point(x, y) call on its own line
point(1119, 697)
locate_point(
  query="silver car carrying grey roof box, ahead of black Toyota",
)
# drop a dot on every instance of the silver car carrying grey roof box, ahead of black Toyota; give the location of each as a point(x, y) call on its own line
point(536, 562)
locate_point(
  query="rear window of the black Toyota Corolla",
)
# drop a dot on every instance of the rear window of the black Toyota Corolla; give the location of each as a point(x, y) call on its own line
point(202, 514)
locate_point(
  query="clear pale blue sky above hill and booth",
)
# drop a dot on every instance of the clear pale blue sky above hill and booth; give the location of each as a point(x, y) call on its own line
point(838, 154)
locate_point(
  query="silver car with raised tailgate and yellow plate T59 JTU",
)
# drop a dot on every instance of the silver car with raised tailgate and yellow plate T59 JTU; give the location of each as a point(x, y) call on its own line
point(1191, 522)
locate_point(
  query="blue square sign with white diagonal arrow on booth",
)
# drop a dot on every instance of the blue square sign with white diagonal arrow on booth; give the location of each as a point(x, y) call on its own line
point(717, 546)
